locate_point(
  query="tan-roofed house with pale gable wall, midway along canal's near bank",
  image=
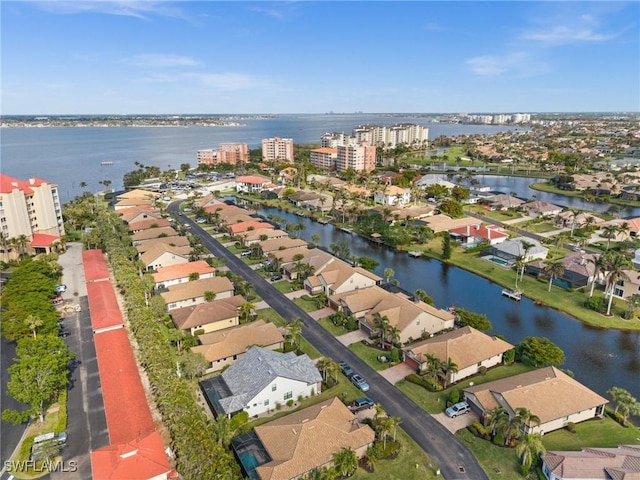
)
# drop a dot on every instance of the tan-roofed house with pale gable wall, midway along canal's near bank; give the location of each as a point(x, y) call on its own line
point(338, 277)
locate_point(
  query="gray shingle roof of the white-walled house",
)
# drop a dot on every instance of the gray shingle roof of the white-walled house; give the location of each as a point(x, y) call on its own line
point(257, 368)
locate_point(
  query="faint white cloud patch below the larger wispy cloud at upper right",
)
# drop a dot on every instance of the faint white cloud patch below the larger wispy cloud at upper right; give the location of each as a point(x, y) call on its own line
point(516, 64)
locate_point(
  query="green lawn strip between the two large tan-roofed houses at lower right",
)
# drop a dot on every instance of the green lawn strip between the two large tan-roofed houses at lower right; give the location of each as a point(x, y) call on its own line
point(435, 402)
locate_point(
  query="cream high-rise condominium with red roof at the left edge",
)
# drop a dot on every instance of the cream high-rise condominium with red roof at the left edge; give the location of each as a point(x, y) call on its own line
point(29, 211)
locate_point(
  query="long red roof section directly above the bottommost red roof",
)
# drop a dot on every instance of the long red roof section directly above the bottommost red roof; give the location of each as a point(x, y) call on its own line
point(125, 404)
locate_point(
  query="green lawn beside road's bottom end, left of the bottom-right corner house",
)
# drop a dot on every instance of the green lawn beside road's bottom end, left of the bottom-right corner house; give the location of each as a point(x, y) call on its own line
point(499, 463)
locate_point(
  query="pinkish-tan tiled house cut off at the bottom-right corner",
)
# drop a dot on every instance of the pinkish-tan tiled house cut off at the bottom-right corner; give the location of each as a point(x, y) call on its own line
point(619, 463)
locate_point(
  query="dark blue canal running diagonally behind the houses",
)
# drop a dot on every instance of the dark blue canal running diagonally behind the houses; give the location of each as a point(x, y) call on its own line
point(599, 358)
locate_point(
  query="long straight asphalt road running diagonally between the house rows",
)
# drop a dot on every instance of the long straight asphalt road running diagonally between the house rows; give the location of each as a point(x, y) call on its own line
point(449, 454)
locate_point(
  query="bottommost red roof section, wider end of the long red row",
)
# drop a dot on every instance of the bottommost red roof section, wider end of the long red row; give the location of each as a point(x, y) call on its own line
point(135, 460)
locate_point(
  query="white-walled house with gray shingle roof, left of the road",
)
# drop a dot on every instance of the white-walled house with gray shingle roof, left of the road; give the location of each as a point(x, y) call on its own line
point(260, 380)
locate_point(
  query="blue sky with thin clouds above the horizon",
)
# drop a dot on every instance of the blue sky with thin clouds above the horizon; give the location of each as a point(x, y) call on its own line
point(123, 57)
